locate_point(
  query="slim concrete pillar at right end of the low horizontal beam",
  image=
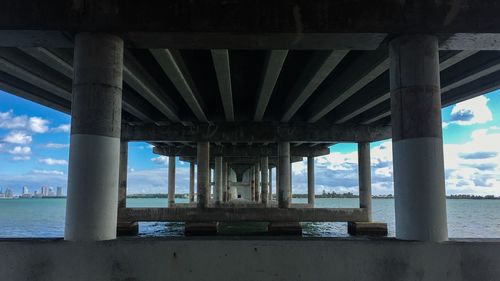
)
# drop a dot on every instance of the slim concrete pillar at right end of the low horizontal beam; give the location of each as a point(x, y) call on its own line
point(365, 178)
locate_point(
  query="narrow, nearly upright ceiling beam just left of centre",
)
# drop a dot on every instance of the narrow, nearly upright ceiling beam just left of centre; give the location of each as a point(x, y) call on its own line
point(220, 58)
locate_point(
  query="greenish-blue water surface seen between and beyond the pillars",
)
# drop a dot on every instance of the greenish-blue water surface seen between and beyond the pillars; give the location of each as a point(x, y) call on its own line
point(45, 217)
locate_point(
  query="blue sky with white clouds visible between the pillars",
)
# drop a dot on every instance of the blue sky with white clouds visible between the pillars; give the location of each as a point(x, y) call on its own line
point(34, 146)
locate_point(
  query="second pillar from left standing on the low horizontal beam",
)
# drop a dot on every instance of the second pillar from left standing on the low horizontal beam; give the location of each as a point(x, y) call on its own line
point(203, 156)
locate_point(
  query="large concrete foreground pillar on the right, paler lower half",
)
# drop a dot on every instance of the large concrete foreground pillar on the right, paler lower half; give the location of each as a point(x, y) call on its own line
point(417, 139)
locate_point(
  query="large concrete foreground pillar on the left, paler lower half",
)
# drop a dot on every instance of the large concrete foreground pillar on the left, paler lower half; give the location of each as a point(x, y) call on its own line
point(94, 157)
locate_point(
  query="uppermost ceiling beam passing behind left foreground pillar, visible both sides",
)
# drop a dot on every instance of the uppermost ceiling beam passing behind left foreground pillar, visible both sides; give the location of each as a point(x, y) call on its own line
point(64, 67)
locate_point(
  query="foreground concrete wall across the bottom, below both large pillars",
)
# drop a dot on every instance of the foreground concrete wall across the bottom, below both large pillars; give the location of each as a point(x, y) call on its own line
point(267, 259)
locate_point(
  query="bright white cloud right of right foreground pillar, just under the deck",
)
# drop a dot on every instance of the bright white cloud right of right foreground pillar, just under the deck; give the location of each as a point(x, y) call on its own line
point(472, 111)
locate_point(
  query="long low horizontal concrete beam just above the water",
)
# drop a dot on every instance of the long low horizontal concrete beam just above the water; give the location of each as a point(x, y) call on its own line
point(244, 214)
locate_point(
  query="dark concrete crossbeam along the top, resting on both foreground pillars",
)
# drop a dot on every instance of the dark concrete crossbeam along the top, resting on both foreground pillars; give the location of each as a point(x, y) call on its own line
point(215, 24)
